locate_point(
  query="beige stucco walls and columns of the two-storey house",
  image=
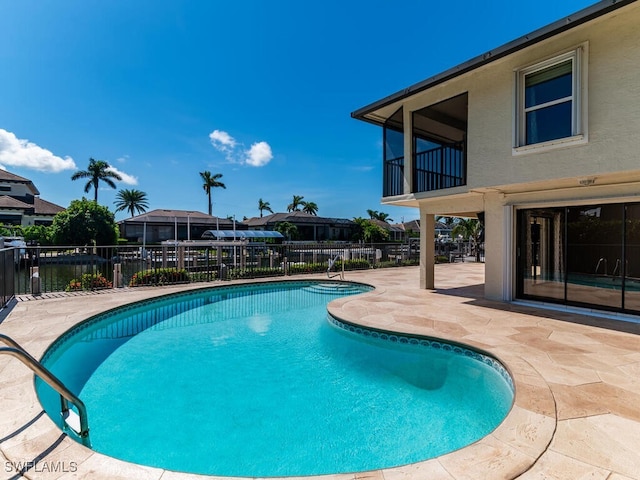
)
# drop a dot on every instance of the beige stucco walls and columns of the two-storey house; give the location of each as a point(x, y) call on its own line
point(501, 178)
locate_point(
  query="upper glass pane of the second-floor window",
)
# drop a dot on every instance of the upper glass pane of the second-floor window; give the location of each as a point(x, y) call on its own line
point(549, 84)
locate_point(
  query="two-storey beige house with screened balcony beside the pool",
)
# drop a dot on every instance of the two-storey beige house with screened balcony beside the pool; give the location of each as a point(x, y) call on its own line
point(540, 140)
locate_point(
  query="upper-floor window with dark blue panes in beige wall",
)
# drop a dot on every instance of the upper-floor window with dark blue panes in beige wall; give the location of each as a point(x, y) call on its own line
point(549, 101)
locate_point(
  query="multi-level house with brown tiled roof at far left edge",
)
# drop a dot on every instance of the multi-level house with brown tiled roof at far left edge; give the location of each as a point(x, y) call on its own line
point(20, 203)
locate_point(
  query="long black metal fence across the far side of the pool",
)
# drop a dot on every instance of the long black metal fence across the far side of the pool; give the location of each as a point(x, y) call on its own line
point(38, 270)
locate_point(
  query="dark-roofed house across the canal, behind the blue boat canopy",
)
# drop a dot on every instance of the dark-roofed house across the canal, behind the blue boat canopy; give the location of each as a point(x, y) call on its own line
point(310, 227)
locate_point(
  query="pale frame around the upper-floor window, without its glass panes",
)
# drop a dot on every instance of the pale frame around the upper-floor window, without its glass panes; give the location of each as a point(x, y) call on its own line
point(578, 97)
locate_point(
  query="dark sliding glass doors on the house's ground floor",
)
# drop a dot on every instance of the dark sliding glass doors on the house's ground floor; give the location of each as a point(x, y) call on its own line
point(587, 255)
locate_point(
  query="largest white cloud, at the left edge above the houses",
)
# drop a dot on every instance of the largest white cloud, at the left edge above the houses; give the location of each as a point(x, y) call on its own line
point(16, 152)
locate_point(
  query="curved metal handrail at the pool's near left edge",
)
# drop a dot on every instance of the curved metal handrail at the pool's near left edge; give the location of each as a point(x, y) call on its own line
point(78, 423)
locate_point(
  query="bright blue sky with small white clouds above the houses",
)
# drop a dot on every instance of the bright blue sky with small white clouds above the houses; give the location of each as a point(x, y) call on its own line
point(259, 91)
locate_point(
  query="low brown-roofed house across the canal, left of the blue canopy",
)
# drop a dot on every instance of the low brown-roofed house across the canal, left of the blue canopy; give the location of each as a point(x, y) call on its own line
point(160, 225)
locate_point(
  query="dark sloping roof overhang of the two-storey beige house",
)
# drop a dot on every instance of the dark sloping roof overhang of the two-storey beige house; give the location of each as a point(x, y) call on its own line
point(370, 113)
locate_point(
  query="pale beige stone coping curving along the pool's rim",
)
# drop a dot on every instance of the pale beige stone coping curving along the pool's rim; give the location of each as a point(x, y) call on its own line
point(514, 446)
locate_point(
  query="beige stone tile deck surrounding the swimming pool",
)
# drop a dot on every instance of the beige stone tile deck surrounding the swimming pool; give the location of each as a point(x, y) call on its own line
point(576, 413)
